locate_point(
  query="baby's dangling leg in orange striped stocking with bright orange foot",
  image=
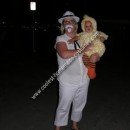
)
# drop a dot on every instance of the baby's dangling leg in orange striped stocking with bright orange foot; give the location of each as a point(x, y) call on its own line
point(91, 66)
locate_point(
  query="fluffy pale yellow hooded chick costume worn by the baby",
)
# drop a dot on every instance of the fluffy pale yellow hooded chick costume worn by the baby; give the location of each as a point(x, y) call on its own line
point(86, 38)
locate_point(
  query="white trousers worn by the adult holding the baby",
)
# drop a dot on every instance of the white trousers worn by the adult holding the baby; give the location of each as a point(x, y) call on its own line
point(75, 95)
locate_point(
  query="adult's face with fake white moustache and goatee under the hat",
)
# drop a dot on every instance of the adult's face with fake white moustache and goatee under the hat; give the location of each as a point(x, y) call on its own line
point(69, 24)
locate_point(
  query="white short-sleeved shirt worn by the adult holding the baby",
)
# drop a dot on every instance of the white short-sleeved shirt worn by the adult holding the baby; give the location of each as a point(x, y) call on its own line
point(76, 72)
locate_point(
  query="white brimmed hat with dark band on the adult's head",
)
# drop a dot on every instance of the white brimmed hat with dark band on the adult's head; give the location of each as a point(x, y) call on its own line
point(68, 14)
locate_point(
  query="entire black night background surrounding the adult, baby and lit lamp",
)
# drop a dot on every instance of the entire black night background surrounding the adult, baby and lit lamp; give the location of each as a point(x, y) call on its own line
point(28, 59)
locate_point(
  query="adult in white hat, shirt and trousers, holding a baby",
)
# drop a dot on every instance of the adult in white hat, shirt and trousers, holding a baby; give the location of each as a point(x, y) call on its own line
point(73, 81)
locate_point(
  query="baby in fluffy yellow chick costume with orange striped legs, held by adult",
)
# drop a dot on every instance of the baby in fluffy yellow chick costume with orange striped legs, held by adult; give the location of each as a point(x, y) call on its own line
point(89, 28)
